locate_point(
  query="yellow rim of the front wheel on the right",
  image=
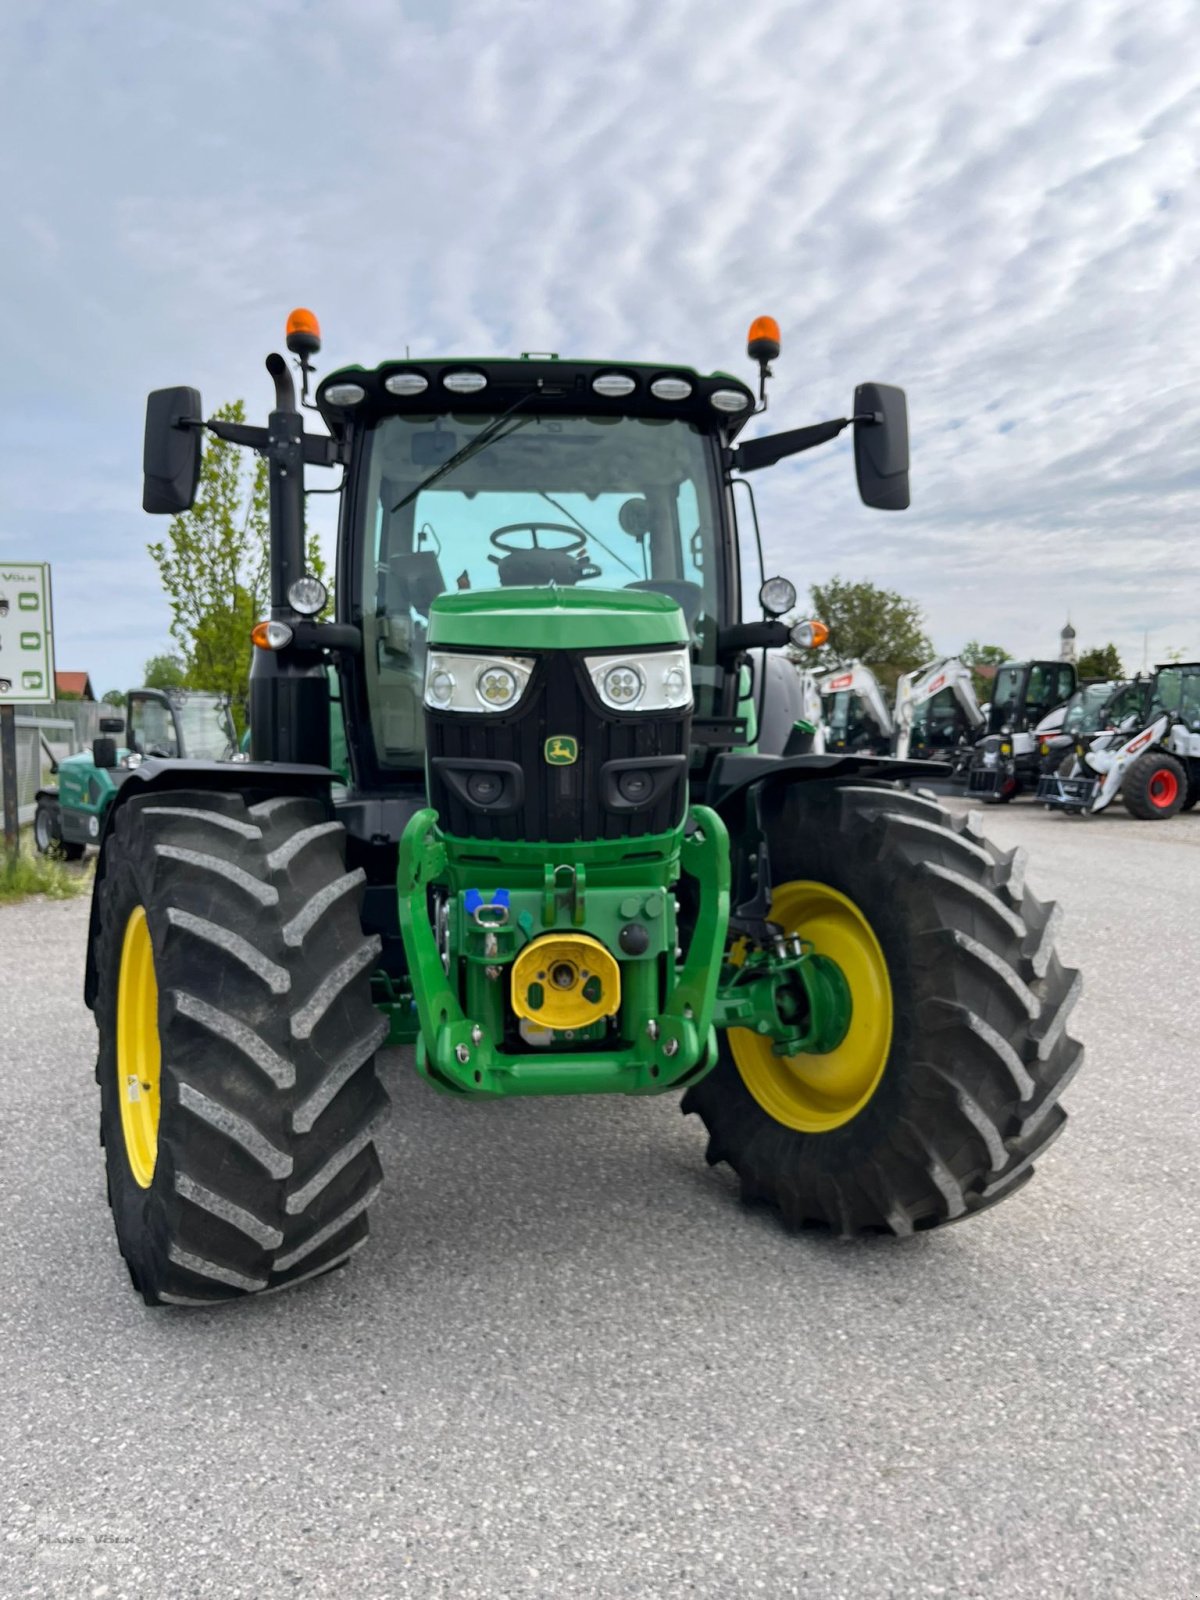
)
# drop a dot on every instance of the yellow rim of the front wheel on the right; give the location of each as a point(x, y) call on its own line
point(820, 1094)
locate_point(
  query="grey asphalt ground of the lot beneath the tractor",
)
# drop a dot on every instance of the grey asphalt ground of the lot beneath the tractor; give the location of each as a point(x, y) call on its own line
point(570, 1362)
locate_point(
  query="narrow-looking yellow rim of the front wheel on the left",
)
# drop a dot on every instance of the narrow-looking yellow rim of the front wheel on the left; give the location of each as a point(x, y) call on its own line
point(138, 1054)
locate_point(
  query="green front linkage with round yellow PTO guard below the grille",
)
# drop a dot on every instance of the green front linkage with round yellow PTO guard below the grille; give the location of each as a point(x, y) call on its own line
point(529, 943)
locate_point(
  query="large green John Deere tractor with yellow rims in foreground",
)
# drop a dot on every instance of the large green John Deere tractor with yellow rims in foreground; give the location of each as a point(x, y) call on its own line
point(577, 846)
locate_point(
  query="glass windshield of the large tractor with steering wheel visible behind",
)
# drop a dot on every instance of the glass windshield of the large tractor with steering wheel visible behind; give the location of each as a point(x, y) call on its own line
point(609, 503)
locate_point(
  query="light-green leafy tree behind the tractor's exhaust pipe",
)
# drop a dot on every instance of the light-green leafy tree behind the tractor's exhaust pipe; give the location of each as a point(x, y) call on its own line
point(215, 569)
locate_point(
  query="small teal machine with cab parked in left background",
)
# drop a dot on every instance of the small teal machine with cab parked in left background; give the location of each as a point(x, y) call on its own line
point(162, 724)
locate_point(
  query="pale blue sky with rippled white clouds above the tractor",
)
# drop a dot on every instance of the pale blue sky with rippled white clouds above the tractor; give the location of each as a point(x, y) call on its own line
point(993, 206)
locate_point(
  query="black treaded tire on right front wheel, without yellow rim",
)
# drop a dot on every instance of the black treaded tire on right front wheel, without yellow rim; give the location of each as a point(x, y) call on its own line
point(978, 1057)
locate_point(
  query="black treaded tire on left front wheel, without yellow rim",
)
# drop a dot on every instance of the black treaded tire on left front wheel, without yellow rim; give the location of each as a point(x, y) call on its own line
point(270, 1097)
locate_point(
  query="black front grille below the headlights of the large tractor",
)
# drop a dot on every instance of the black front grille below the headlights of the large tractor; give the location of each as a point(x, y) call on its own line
point(489, 775)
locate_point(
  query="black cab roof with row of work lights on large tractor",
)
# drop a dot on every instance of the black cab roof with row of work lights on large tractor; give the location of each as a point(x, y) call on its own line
point(543, 383)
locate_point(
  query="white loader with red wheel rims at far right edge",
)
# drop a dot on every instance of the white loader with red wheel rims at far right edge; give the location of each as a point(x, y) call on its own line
point(1153, 764)
